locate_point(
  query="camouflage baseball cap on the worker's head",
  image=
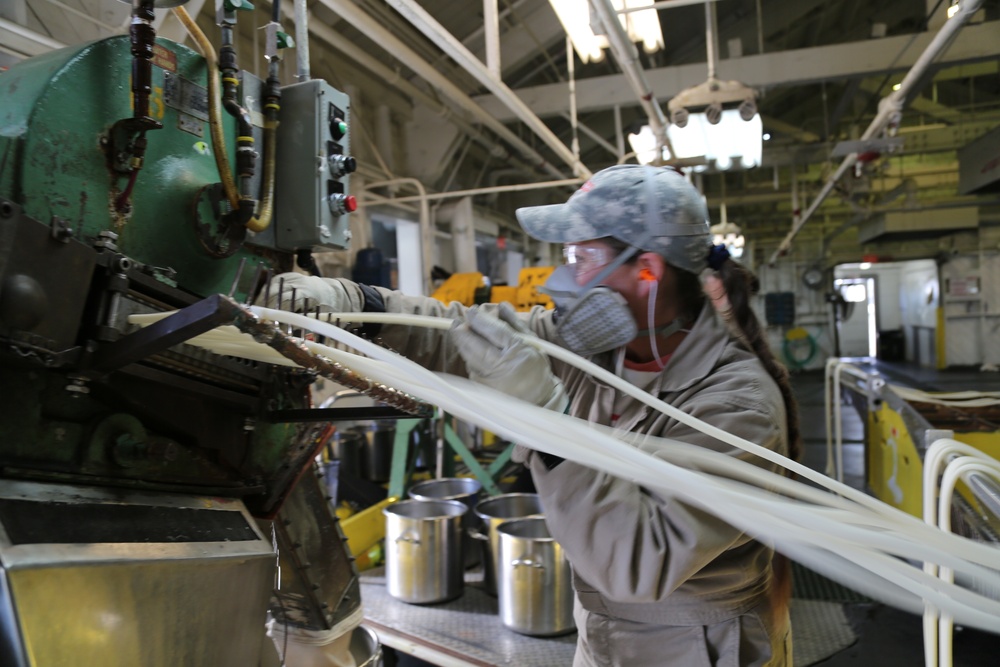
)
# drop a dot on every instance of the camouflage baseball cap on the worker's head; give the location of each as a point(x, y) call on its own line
point(613, 203)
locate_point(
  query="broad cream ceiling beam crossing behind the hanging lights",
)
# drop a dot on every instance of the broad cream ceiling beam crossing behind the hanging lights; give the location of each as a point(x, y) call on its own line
point(769, 70)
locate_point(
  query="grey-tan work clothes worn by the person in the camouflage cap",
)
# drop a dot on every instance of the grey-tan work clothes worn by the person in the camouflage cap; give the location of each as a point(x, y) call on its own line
point(658, 581)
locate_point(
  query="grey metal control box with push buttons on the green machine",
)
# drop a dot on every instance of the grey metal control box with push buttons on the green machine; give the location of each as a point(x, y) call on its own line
point(312, 198)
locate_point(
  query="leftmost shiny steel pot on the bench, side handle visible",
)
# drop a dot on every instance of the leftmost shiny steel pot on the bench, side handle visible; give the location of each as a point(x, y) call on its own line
point(423, 550)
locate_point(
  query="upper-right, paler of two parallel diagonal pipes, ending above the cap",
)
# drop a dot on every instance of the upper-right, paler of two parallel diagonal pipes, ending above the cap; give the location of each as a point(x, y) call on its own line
point(433, 30)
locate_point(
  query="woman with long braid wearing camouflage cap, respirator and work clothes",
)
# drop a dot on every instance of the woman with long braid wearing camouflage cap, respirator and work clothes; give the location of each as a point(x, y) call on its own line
point(657, 581)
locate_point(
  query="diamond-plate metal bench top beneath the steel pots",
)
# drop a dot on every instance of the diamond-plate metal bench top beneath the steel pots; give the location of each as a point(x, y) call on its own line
point(466, 631)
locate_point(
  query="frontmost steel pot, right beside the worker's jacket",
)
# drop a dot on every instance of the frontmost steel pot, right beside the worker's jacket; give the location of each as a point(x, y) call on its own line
point(535, 585)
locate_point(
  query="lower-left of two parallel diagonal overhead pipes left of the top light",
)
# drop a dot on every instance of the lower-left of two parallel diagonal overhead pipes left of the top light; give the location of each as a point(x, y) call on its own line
point(384, 38)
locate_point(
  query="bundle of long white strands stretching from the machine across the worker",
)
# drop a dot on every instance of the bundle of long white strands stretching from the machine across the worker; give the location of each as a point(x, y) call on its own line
point(851, 538)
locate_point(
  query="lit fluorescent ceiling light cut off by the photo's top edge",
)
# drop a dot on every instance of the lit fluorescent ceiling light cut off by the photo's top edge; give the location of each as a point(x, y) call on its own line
point(638, 18)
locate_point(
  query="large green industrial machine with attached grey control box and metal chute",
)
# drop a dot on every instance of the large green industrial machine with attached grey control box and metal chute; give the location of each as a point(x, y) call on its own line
point(146, 484)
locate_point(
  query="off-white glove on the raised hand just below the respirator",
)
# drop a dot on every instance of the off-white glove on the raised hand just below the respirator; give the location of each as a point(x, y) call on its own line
point(496, 356)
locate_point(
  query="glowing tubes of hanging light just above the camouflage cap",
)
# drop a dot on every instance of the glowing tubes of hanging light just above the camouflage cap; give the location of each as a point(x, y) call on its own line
point(731, 142)
